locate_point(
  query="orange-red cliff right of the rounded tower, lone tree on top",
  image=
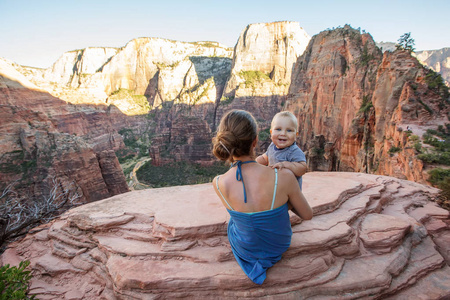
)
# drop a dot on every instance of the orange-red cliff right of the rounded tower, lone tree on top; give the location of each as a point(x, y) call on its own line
point(402, 98)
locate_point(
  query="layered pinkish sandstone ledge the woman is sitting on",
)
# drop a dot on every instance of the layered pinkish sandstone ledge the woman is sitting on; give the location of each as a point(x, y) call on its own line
point(371, 237)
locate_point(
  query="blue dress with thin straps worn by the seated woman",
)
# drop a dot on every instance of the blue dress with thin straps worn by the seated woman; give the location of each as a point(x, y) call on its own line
point(259, 239)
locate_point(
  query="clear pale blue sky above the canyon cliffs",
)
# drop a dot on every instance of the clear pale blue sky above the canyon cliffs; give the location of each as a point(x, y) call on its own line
point(37, 32)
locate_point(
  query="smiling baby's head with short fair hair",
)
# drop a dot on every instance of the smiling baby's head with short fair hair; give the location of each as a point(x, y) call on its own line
point(283, 129)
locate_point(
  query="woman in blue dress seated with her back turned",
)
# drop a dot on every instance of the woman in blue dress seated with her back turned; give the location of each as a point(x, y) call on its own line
point(256, 196)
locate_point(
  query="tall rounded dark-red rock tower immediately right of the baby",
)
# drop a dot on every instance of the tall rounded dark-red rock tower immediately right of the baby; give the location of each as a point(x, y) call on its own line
point(330, 82)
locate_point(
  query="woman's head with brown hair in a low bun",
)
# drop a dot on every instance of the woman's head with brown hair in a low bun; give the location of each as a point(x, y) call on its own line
point(236, 136)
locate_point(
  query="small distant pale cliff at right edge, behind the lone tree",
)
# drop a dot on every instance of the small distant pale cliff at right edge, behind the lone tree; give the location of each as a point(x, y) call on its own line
point(438, 60)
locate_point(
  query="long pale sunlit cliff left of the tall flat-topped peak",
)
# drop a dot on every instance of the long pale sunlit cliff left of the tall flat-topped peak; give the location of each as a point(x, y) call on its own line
point(162, 70)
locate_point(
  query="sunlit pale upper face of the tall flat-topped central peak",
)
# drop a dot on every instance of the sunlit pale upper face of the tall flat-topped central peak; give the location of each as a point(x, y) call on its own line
point(271, 49)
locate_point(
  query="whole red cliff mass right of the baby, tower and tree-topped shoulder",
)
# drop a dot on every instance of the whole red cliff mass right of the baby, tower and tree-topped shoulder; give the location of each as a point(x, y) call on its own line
point(352, 103)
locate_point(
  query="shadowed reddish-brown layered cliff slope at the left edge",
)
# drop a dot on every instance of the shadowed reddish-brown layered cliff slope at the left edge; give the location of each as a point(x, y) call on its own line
point(40, 145)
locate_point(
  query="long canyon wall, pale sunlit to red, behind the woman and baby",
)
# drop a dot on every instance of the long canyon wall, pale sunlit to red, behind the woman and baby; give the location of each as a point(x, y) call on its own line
point(353, 102)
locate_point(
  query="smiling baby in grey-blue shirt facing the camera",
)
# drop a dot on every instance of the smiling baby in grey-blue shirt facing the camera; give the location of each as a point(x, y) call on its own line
point(283, 152)
